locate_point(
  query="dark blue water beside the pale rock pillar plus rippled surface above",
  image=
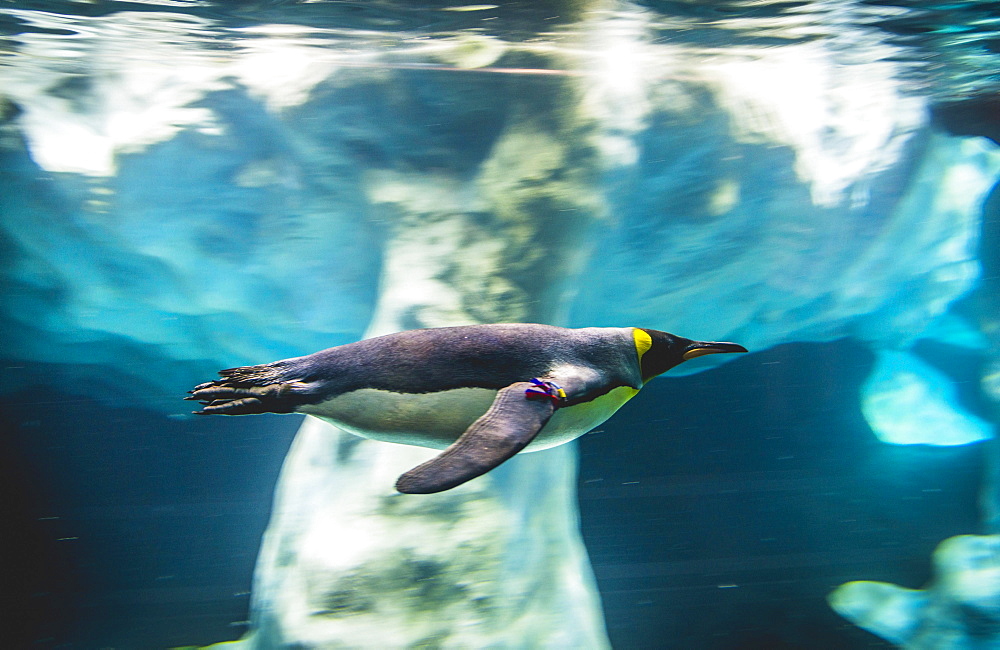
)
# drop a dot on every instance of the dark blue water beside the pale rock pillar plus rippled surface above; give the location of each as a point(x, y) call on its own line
point(718, 509)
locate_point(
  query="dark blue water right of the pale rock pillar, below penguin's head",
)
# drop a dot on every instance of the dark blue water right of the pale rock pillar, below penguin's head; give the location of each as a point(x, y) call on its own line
point(749, 517)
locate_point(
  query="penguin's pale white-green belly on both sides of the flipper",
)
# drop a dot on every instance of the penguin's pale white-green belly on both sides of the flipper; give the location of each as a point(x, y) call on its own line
point(436, 420)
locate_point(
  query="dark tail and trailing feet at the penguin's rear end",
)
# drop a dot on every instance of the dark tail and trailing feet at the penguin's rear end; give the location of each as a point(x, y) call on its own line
point(249, 390)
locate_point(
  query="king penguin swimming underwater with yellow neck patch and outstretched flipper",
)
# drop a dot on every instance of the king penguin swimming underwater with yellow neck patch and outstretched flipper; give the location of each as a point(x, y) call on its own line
point(482, 393)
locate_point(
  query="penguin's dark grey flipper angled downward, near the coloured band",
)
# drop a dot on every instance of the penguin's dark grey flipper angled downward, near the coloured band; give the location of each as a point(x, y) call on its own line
point(506, 428)
